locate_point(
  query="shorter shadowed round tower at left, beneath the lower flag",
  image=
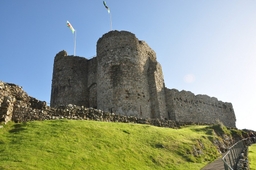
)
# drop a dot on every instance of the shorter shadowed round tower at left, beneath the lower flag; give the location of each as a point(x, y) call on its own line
point(69, 80)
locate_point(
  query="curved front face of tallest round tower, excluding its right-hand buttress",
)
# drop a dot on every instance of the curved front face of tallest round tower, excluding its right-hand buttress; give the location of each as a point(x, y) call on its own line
point(122, 80)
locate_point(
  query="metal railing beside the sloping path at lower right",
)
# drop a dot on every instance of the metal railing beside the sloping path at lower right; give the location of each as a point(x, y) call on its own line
point(231, 158)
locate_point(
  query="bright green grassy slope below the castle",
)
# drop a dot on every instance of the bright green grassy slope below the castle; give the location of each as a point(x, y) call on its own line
point(67, 144)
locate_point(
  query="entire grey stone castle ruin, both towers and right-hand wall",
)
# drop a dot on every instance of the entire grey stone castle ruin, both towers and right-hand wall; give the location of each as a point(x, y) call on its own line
point(126, 79)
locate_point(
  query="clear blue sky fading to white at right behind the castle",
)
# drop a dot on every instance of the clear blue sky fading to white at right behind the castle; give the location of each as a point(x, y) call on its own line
point(204, 46)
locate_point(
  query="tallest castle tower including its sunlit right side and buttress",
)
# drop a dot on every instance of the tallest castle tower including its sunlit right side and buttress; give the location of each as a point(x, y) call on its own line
point(128, 77)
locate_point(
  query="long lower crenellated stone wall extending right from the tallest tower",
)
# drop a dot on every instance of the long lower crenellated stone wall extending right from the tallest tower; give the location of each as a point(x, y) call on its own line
point(184, 106)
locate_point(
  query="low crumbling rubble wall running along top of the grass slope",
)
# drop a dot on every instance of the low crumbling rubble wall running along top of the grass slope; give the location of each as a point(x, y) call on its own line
point(17, 106)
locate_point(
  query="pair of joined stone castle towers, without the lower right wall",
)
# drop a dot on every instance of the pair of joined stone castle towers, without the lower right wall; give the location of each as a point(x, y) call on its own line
point(124, 78)
